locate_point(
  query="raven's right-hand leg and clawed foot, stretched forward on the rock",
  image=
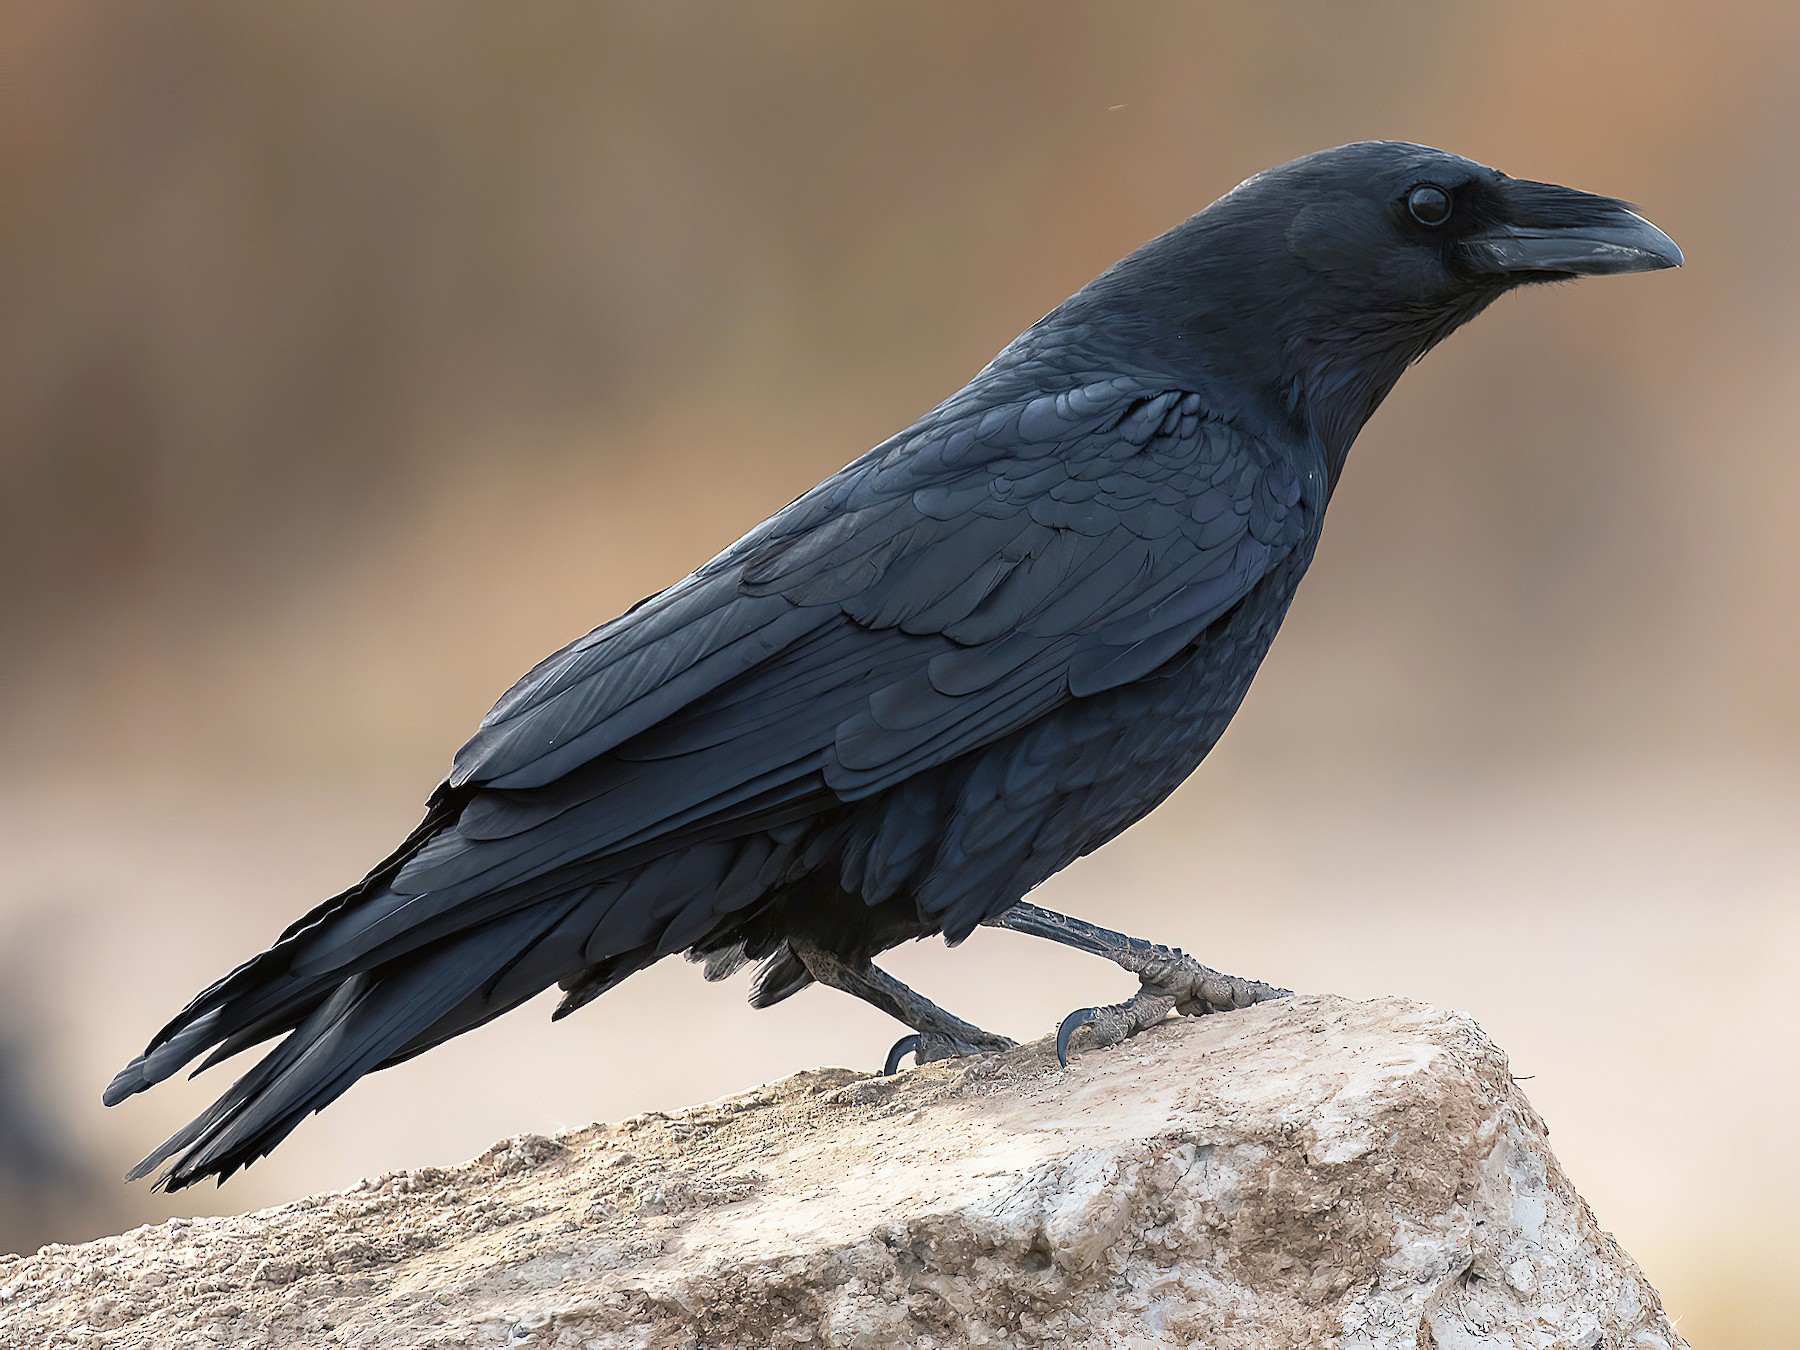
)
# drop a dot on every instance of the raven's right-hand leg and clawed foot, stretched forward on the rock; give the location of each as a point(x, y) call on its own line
point(1171, 980)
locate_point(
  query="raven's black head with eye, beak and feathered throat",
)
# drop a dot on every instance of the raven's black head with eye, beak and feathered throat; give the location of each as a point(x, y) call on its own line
point(1327, 276)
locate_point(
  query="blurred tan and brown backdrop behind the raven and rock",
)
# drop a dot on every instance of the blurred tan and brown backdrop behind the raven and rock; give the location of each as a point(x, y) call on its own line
point(354, 357)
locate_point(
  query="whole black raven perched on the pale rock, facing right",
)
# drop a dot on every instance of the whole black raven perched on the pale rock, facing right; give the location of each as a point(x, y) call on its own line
point(949, 670)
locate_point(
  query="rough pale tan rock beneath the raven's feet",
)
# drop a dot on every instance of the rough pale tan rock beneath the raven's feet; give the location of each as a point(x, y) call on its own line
point(1300, 1174)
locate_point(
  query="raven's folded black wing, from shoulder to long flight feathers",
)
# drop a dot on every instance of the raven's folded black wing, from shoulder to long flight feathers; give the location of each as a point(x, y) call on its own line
point(935, 597)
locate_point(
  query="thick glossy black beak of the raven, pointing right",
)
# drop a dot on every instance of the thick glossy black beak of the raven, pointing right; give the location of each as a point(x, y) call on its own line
point(1560, 233)
